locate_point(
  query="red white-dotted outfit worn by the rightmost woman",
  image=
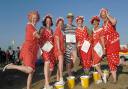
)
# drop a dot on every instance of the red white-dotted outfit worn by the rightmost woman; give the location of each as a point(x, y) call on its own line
point(112, 45)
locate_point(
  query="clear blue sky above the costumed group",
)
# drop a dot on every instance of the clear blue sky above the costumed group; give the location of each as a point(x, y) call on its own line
point(13, 15)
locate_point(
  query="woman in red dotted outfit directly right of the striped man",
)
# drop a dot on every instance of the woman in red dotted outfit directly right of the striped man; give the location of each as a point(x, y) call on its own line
point(81, 36)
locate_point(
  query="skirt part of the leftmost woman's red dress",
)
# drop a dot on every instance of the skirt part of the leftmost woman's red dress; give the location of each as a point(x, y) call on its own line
point(28, 54)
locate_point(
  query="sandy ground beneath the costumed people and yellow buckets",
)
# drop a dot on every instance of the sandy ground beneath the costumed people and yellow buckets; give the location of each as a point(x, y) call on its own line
point(13, 79)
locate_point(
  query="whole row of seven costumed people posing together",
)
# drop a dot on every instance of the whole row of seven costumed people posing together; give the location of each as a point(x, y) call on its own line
point(67, 43)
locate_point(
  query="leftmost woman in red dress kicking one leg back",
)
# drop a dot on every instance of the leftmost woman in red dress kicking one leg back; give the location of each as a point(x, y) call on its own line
point(29, 48)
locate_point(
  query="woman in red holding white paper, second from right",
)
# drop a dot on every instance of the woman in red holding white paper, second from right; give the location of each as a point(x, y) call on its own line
point(97, 41)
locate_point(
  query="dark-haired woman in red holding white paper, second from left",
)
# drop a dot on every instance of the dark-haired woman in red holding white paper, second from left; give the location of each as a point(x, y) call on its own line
point(47, 41)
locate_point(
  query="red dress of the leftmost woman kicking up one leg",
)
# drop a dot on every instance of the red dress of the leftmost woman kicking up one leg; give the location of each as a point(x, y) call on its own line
point(29, 48)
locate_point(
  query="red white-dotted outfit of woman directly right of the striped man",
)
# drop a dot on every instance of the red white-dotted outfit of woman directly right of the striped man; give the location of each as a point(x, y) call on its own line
point(82, 35)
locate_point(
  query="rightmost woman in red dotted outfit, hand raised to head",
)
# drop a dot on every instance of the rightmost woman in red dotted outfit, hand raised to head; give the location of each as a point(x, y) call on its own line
point(112, 42)
